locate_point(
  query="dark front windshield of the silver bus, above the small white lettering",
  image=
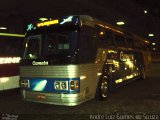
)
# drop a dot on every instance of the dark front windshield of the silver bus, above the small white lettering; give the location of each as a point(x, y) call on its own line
point(54, 46)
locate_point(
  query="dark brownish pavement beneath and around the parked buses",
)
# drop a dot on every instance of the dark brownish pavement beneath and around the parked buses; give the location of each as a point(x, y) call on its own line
point(136, 100)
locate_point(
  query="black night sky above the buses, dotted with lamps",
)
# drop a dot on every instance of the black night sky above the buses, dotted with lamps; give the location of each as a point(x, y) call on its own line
point(16, 14)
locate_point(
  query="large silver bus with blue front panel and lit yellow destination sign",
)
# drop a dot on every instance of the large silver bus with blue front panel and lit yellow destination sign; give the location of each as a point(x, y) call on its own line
point(73, 59)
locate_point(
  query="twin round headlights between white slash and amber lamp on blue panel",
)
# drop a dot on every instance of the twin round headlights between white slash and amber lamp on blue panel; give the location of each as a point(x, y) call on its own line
point(61, 85)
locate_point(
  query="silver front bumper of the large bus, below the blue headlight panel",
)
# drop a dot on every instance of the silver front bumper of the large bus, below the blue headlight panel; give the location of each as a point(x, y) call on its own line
point(54, 98)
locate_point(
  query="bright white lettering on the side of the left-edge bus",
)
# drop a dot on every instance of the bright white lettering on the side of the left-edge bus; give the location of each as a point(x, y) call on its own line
point(9, 60)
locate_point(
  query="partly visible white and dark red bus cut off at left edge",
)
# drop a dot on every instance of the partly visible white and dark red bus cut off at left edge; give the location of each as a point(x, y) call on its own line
point(10, 52)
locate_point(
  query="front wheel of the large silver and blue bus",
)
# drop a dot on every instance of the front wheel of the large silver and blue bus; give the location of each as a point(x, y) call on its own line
point(102, 89)
